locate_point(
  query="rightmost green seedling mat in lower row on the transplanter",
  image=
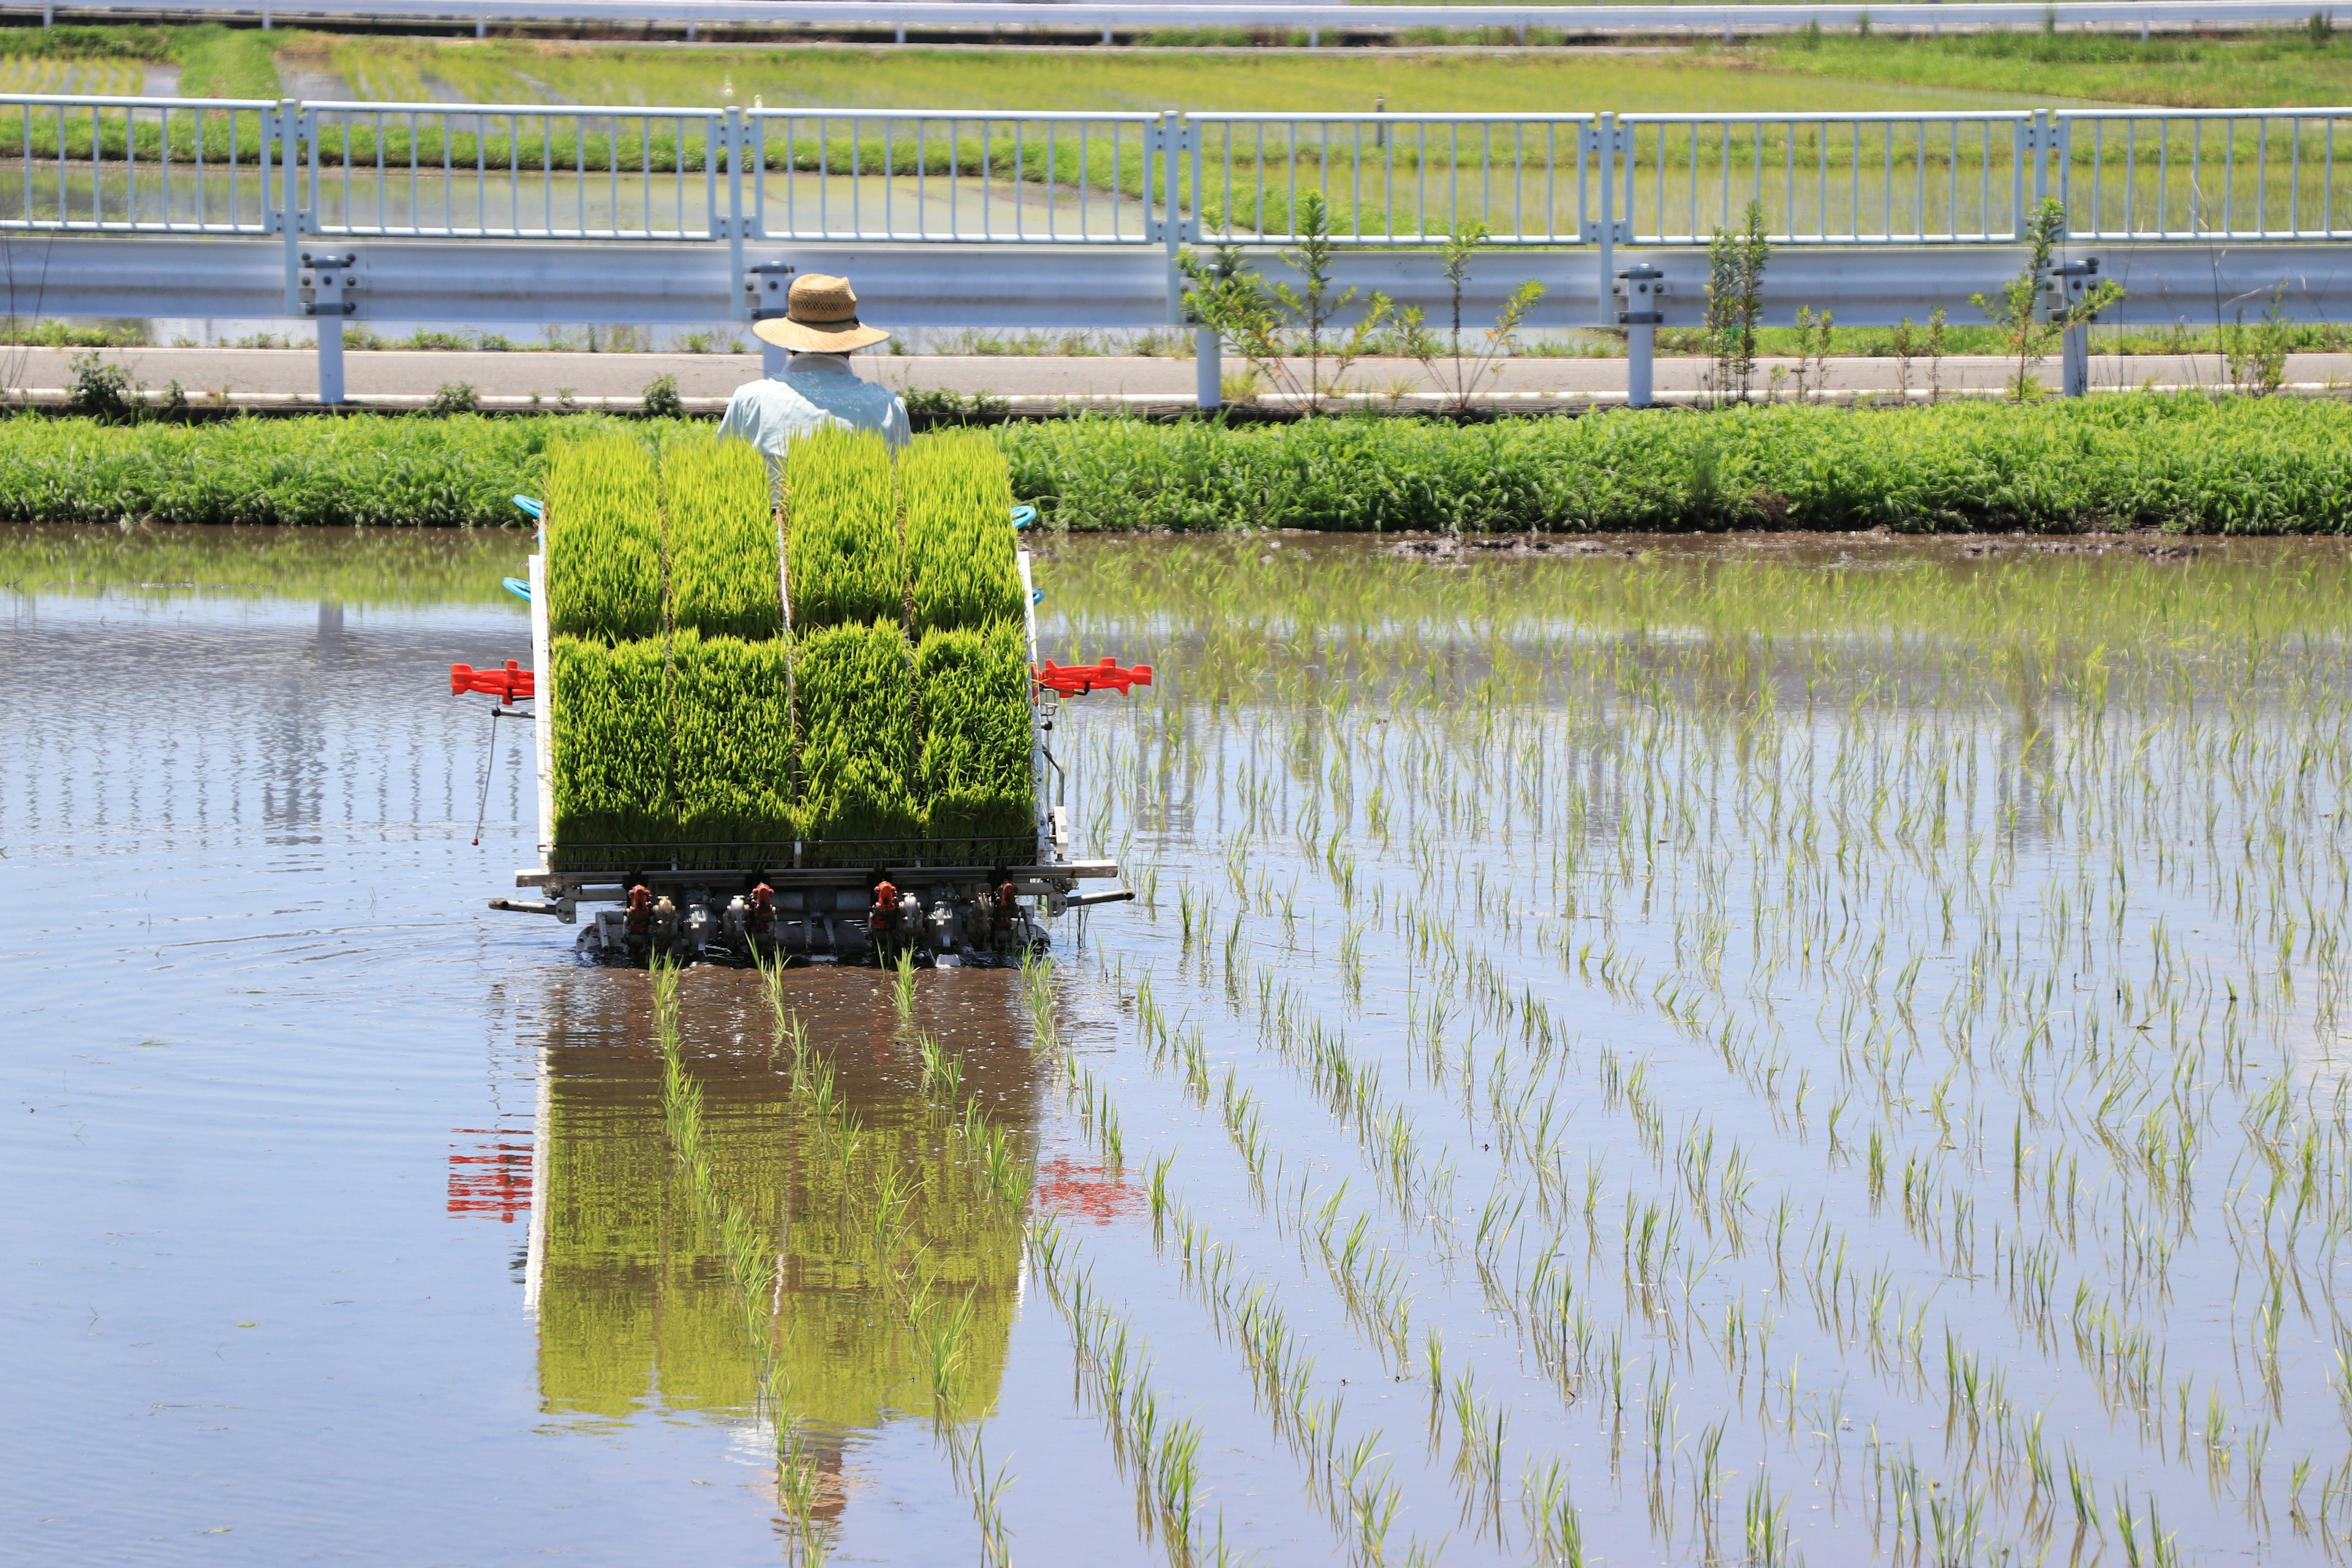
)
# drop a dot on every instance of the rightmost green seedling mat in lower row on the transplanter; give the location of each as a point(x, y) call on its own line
point(975, 765)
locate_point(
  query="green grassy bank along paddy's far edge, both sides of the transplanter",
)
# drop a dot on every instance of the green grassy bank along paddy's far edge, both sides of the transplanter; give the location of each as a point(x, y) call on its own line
point(2186, 464)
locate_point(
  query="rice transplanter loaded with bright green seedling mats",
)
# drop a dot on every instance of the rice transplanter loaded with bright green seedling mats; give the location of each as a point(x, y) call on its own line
point(862, 709)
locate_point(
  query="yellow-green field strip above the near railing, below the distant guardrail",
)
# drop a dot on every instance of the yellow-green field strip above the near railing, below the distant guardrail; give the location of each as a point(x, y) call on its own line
point(1836, 72)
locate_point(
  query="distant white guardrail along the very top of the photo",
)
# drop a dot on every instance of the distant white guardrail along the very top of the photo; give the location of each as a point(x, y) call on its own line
point(1135, 20)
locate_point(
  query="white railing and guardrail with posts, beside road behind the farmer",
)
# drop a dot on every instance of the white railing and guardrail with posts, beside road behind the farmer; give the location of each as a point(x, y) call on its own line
point(497, 213)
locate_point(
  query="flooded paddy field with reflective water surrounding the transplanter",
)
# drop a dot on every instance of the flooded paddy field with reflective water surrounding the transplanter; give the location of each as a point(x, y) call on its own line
point(1753, 1052)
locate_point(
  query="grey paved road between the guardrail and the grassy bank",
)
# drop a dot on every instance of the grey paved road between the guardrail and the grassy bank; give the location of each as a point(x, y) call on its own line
point(283, 377)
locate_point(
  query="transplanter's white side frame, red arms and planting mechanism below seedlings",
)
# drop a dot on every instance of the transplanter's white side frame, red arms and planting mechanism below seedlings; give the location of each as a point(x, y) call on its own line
point(810, 899)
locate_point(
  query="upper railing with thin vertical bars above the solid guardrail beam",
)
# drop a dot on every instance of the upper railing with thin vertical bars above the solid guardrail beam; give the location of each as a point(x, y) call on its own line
point(1130, 180)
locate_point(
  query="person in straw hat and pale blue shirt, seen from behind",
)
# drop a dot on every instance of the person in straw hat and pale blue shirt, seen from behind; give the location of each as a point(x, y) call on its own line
point(817, 389)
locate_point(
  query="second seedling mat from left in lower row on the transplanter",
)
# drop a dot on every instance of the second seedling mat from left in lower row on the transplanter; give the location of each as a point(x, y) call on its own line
point(730, 739)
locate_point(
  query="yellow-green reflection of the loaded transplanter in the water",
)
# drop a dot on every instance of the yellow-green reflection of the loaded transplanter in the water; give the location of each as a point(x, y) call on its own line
point(636, 1306)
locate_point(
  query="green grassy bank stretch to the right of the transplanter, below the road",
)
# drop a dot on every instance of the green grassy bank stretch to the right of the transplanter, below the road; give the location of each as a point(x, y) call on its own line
point(2186, 464)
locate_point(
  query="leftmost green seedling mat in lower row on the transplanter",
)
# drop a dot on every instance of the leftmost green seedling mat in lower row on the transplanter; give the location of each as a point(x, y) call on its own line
point(613, 744)
